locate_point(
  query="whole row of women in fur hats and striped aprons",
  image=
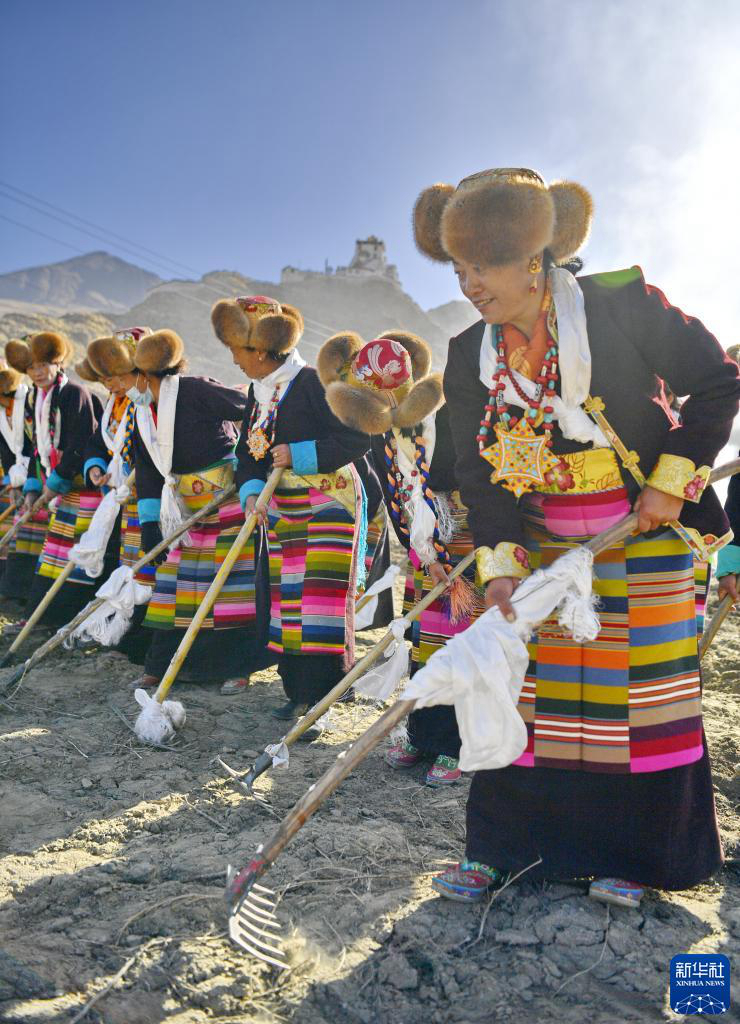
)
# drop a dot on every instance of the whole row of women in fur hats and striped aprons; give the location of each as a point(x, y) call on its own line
point(551, 424)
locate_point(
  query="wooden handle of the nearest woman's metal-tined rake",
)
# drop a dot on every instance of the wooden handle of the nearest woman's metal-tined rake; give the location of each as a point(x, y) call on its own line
point(241, 884)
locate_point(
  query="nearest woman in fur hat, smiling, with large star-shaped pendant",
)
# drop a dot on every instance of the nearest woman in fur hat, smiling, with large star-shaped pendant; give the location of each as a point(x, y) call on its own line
point(557, 437)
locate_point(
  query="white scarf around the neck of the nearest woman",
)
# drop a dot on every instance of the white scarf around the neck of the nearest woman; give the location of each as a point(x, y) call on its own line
point(575, 359)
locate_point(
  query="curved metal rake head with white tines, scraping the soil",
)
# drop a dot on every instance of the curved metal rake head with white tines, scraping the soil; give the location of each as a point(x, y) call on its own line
point(252, 923)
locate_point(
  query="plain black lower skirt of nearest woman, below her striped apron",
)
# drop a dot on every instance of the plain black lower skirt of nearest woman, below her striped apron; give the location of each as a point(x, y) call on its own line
point(657, 829)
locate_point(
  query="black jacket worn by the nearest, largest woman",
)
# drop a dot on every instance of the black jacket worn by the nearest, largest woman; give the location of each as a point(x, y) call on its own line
point(637, 339)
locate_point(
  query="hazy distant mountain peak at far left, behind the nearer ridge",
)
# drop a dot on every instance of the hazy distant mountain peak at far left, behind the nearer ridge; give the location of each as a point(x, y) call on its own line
point(97, 281)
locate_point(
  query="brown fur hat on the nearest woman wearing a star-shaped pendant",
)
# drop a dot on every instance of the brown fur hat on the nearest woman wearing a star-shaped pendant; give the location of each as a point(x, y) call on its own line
point(502, 216)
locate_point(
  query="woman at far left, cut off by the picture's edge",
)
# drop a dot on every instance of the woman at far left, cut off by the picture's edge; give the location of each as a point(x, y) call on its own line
point(18, 438)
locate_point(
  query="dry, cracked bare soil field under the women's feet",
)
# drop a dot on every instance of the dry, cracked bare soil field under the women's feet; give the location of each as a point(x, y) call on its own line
point(113, 863)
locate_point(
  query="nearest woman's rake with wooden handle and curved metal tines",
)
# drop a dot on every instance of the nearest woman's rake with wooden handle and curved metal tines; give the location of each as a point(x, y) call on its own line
point(251, 906)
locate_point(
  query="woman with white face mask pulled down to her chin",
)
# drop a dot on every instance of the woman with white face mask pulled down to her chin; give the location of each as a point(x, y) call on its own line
point(185, 457)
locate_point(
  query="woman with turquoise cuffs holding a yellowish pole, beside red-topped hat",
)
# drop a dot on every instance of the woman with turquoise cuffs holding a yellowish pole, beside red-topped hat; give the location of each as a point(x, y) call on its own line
point(317, 516)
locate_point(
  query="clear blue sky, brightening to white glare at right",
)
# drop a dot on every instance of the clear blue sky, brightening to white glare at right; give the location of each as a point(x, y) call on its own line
point(242, 136)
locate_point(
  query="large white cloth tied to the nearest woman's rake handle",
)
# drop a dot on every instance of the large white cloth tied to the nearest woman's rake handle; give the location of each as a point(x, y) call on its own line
point(482, 671)
